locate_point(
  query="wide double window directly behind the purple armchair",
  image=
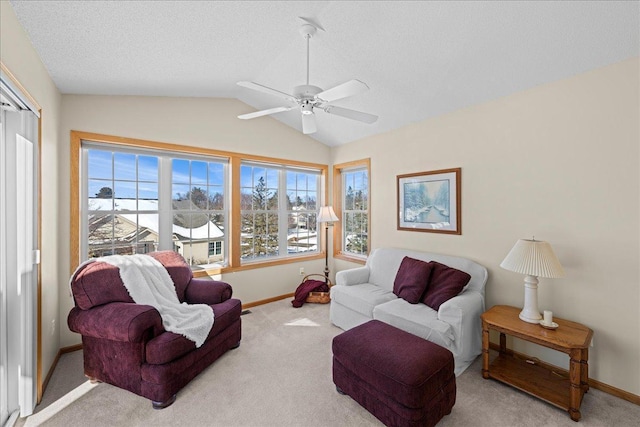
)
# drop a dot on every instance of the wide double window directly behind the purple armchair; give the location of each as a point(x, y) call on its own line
point(127, 195)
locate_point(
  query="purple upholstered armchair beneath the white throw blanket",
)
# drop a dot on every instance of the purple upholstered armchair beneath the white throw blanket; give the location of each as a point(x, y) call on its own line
point(125, 344)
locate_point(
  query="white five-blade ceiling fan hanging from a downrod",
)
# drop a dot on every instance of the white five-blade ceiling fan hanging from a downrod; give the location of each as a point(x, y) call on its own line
point(309, 98)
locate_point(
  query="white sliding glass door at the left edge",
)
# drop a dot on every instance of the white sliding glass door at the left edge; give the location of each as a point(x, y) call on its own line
point(18, 256)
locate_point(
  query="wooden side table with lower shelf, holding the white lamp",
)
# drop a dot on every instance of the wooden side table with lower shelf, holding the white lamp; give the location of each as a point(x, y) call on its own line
point(529, 376)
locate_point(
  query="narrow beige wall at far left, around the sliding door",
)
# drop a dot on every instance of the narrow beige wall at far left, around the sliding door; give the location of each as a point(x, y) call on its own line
point(17, 54)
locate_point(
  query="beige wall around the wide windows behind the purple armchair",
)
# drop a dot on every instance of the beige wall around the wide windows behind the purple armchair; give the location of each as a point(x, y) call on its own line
point(201, 122)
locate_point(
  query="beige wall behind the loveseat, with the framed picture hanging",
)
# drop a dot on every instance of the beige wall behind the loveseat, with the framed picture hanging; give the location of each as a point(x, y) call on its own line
point(559, 162)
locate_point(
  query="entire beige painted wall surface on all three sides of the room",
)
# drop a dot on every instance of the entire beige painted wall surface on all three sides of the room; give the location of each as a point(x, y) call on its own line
point(560, 161)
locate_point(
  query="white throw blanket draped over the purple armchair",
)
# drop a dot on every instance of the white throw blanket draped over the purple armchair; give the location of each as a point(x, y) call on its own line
point(149, 283)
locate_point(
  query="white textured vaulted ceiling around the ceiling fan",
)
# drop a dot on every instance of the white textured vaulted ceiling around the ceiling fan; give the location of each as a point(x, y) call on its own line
point(420, 59)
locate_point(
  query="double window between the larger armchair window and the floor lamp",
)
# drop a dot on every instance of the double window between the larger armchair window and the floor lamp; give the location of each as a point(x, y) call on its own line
point(278, 211)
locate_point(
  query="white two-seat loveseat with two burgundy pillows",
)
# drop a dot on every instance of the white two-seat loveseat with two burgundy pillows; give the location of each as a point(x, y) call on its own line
point(366, 293)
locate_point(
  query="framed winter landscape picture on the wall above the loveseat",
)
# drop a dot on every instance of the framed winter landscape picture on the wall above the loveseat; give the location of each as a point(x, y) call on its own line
point(430, 201)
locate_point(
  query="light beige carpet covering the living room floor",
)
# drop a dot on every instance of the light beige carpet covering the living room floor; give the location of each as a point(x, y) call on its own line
point(281, 376)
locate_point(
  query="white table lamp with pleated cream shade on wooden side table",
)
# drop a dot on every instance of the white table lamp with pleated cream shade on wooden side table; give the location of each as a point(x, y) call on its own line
point(533, 258)
